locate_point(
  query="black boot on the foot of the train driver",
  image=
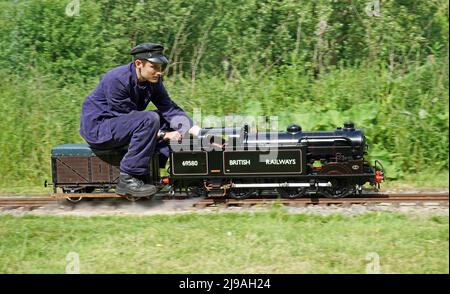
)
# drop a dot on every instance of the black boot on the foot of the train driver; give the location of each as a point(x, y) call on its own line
point(132, 186)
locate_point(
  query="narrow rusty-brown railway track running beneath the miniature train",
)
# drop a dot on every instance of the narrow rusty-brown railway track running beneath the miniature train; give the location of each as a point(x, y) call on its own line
point(365, 199)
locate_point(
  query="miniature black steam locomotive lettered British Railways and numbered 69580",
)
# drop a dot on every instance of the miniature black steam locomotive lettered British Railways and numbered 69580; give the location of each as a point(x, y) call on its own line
point(236, 163)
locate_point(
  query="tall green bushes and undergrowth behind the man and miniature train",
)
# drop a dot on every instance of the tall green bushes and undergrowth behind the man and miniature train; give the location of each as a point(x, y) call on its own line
point(316, 63)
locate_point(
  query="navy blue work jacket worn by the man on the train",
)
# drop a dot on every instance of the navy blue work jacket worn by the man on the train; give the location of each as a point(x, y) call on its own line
point(119, 93)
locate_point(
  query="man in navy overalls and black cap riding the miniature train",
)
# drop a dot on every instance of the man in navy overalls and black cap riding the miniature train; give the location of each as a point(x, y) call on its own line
point(114, 116)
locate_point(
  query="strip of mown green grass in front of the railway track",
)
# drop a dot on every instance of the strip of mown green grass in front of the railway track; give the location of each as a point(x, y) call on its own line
point(265, 242)
